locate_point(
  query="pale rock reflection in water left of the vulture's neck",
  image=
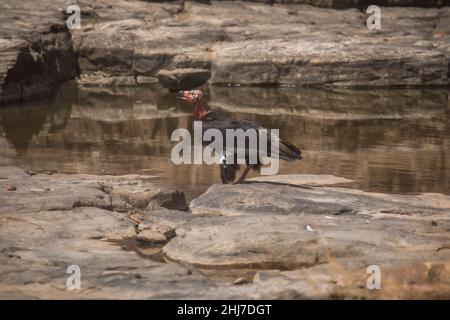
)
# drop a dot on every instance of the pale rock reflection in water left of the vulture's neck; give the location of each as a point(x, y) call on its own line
point(127, 120)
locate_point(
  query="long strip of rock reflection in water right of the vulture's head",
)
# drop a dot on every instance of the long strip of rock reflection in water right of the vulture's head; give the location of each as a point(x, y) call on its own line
point(332, 104)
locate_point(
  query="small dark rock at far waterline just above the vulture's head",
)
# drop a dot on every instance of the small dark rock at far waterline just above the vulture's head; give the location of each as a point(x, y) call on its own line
point(183, 79)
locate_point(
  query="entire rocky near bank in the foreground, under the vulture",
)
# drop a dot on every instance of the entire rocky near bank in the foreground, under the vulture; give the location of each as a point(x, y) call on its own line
point(302, 236)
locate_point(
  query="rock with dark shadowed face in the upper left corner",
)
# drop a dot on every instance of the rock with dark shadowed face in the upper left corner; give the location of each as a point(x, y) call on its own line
point(36, 50)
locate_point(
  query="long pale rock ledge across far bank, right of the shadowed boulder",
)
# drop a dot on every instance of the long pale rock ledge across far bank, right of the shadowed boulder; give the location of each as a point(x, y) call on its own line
point(247, 43)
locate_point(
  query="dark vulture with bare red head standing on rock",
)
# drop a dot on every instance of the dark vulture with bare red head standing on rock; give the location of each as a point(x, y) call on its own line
point(213, 120)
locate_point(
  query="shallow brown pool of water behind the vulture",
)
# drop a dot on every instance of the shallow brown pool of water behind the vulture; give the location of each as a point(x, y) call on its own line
point(394, 141)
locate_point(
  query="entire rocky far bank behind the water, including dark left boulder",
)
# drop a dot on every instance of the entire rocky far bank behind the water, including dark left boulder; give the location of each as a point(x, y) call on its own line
point(131, 43)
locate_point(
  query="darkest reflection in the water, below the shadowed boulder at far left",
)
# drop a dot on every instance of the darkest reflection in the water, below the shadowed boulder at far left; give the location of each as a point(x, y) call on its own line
point(20, 123)
